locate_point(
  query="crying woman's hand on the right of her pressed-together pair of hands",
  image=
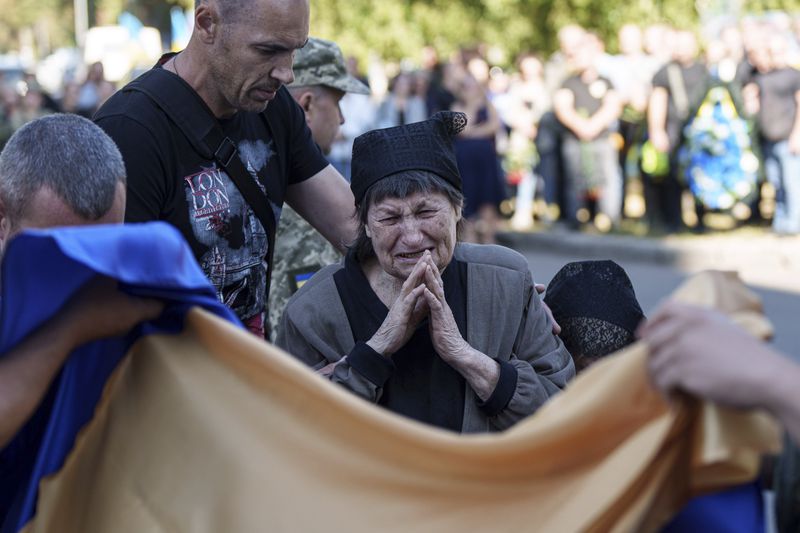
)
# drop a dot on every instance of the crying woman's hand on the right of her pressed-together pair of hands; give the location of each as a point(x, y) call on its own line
point(446, 338)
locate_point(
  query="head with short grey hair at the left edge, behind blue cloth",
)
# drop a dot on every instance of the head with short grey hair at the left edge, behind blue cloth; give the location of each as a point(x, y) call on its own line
point(59, 170)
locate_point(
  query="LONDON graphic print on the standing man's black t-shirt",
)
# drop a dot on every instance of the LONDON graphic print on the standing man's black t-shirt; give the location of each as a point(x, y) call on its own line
point(237, 242)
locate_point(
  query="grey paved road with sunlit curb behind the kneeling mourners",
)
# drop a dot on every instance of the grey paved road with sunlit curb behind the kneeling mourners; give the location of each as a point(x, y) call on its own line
point(769, 265)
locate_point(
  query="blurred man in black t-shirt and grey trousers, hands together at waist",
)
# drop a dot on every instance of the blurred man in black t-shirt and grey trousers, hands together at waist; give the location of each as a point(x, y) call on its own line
point(588, 107)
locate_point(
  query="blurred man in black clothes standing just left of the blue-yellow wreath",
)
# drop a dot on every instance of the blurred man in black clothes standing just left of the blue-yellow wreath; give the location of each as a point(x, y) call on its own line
point(678, 90)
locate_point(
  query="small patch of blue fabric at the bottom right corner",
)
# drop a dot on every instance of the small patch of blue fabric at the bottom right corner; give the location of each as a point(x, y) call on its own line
point(736, 510)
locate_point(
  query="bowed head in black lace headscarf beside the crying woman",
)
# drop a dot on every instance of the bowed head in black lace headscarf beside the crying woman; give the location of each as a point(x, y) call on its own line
point(596, 307)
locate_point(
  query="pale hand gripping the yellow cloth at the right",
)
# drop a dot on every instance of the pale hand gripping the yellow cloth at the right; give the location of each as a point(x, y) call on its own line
point(702, 352)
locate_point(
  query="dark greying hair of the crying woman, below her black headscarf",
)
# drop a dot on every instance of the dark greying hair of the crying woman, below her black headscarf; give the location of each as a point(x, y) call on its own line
point(400, 185)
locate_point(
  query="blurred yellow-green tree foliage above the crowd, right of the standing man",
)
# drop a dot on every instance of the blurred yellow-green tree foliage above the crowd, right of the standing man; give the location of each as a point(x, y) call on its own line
point(396, 29)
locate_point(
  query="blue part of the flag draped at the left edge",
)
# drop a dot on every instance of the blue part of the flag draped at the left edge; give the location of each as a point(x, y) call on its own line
point(41, 270)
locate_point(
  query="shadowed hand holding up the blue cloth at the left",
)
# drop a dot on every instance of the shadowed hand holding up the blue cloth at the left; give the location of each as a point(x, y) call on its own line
point(100, 310)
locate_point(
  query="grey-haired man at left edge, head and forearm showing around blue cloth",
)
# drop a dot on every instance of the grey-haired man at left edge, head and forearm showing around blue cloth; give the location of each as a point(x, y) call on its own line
point(61, 170)
